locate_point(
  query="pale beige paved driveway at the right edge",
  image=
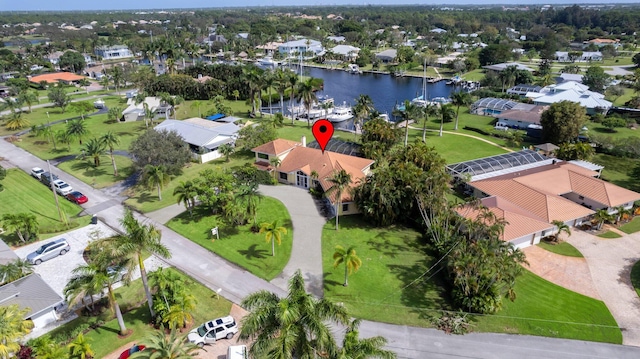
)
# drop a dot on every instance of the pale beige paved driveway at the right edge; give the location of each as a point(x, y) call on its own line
point(610, 262)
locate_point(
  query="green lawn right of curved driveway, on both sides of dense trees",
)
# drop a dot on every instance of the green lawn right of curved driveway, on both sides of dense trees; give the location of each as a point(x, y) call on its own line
point(393, 258)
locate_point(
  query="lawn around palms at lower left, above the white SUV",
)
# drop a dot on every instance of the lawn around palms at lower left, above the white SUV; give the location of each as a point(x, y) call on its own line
point(105, 339)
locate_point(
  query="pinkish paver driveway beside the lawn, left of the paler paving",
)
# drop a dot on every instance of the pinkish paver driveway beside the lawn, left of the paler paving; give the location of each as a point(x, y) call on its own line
point(568, 272)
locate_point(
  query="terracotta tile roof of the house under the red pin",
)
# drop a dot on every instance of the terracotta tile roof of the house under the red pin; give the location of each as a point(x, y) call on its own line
point(307, 160)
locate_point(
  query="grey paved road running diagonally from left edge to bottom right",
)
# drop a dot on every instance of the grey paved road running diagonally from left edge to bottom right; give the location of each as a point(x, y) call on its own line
point(408, 342)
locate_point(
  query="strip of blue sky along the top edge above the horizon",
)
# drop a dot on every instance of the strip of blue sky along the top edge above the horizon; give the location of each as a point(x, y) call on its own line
point(35, 5)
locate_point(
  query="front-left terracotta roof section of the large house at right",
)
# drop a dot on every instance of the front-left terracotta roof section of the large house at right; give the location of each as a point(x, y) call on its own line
point(520, 222)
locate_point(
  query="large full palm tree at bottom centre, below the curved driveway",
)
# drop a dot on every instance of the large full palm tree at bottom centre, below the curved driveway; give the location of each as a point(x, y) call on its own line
point(298, 323)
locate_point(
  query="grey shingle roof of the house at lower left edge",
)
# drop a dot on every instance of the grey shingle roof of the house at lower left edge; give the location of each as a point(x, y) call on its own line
point(30, 292)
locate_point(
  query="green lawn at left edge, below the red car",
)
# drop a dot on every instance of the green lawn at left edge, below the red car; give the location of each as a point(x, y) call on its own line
point(24, 194)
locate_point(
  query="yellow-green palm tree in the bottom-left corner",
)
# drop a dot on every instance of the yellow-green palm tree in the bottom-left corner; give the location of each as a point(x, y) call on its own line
point(13, 328)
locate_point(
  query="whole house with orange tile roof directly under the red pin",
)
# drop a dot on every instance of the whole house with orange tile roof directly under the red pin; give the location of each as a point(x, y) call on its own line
point(299, 164)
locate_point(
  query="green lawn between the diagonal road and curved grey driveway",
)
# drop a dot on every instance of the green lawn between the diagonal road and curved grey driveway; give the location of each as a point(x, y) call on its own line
point(238, 244)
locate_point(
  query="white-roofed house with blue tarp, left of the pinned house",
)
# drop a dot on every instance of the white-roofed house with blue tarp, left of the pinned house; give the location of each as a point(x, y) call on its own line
point(203, 137)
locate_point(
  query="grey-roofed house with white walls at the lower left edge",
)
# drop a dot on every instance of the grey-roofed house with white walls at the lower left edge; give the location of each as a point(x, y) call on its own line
point(30, 292)
